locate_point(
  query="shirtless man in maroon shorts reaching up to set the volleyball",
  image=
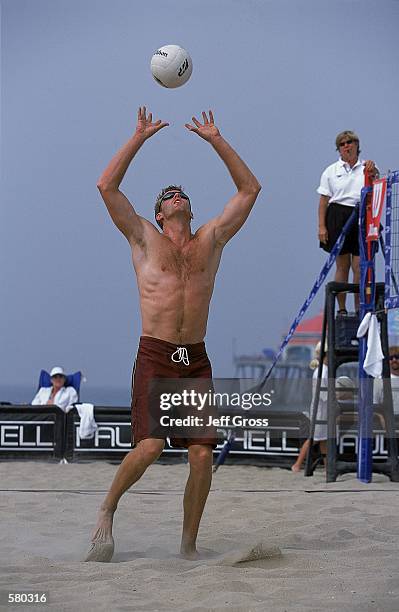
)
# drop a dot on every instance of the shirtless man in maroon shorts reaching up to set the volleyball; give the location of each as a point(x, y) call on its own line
point(175, 273)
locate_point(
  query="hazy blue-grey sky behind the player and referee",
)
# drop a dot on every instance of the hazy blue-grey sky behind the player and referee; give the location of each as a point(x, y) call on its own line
point(283, 78)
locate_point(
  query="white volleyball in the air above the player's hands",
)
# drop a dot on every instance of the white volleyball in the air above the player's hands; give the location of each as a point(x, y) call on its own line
point(171, 66)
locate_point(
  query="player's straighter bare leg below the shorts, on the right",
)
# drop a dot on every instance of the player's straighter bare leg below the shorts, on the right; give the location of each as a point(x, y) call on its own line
point(195, 496)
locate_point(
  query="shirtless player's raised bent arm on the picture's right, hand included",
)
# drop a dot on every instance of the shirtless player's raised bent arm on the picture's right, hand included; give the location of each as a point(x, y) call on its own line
point(239, 206)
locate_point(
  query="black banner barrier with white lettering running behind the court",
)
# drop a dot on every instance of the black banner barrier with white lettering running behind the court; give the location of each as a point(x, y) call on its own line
point(47, 432)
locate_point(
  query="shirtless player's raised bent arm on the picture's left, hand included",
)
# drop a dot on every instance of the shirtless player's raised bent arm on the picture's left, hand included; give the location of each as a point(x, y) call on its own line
point(122, 212)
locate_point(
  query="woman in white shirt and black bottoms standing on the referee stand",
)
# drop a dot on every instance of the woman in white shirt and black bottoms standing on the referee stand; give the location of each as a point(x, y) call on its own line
point(340, 189)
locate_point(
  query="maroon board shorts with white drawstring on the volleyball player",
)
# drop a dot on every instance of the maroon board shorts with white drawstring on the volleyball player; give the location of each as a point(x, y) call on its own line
point(154, 361)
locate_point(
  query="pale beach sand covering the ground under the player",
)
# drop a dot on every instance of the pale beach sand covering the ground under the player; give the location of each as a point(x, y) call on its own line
point(324, 546)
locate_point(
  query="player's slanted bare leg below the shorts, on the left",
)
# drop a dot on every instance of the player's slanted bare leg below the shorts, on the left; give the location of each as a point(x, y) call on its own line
point(130, 470)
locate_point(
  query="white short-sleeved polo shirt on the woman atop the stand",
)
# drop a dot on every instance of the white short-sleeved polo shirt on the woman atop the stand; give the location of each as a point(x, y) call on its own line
point(342, 183)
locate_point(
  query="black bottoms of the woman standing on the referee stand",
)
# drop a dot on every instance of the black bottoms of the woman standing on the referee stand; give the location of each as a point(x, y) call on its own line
point(337, 216)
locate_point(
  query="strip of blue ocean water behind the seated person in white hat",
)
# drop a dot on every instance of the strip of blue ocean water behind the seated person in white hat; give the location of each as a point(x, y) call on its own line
point(100, 396)
